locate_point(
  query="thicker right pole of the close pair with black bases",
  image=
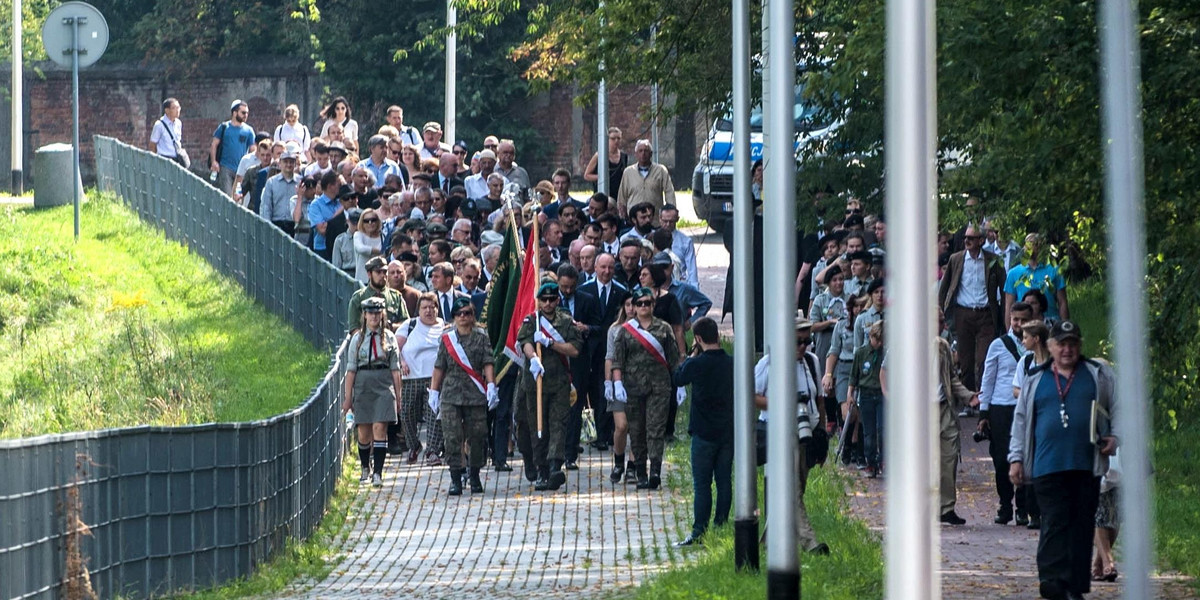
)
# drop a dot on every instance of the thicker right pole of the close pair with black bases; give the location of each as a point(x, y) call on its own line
point(779, 243)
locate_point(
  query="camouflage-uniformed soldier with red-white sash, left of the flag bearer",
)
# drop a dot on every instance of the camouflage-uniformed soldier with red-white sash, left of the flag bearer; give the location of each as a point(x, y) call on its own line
point(466, 405)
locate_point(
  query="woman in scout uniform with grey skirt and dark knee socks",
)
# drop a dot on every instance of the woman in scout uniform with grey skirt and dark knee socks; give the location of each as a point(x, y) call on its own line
point(373, 377)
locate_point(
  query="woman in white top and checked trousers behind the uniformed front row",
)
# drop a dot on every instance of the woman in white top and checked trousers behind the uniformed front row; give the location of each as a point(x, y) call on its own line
point(418, 340)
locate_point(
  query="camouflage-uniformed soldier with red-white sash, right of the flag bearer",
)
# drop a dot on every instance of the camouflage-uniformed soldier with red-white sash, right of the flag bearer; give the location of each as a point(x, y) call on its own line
point(641, 379)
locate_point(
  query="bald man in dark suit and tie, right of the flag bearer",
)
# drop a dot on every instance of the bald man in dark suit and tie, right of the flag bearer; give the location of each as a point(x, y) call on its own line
point(610, 296)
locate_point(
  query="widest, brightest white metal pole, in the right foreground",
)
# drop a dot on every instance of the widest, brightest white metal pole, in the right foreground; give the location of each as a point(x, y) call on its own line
point(911, 110)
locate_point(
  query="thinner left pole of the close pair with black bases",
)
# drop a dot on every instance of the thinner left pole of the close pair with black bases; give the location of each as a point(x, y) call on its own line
point(746, 523)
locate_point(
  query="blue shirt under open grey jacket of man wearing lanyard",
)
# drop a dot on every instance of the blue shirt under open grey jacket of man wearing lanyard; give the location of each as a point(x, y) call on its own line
point(1057, 448)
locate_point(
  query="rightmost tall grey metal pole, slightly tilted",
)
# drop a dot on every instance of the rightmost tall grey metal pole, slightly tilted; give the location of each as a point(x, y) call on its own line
point(1121, 106)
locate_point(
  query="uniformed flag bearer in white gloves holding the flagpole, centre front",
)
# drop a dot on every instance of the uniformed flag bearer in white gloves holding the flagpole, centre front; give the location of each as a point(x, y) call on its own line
point(544, 457)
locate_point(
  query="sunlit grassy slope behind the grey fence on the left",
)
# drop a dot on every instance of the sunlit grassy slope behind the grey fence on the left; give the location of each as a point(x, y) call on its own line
point(128, 328)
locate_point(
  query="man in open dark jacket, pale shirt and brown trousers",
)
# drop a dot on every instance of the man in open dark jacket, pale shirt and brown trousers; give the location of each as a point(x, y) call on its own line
point(970, 293)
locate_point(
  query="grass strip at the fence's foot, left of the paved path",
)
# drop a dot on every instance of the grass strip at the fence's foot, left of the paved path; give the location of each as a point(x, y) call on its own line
point(311, 561)
